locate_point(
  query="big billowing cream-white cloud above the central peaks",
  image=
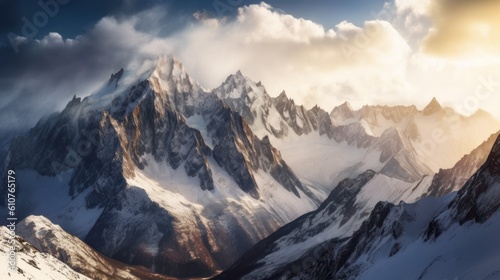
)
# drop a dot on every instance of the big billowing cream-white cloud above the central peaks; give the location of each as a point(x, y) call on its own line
point(314, 65)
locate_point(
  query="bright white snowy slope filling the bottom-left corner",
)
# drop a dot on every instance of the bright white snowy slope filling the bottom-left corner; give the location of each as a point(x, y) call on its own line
point(31, 263)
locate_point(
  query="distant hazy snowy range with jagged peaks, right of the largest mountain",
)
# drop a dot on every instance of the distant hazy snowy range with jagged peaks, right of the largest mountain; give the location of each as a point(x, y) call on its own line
point(401, 142)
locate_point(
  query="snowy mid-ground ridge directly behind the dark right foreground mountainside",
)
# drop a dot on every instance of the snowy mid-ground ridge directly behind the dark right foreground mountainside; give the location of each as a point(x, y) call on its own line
point(339, 216)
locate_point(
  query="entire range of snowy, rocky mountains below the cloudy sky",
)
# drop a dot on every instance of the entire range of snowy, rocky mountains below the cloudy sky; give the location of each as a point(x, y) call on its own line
point(153, 176)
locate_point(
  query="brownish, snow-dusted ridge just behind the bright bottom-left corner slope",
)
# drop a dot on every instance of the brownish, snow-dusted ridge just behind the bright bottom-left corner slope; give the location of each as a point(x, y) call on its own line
point(53, 240)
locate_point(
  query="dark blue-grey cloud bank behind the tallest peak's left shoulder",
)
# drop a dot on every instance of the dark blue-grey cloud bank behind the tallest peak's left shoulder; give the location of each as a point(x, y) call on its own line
point(46, 73)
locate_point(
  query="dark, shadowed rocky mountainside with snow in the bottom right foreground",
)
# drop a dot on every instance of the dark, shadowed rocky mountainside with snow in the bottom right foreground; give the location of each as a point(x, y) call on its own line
point(449, 237)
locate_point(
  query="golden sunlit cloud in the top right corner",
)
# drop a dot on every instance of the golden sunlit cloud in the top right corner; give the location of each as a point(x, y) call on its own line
point(461, 28)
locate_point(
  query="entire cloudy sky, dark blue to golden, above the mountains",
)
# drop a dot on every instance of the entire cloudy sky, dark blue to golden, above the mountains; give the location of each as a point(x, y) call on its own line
point(399, 52)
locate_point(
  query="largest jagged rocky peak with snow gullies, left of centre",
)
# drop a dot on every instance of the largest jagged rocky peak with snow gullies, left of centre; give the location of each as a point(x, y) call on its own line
point(152, 170)
